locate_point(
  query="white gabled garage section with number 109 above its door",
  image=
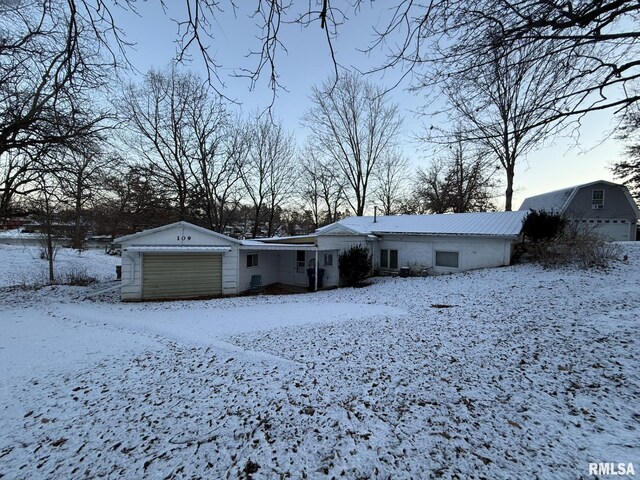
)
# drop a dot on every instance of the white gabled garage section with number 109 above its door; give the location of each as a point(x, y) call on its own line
point(178, 261)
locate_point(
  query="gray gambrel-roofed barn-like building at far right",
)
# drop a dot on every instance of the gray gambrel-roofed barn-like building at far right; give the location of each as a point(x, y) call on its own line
point(605, 208)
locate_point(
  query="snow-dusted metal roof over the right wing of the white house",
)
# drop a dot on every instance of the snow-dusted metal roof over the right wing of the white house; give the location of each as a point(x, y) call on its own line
point(480, 223)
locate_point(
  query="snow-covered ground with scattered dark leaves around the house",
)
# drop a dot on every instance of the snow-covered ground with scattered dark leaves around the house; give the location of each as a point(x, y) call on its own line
point(515, 372)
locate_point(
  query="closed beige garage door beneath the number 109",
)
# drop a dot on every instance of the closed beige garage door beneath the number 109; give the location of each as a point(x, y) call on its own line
point(181, 276)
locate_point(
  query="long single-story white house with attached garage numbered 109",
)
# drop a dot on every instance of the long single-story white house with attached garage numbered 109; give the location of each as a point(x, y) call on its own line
point(182, 260)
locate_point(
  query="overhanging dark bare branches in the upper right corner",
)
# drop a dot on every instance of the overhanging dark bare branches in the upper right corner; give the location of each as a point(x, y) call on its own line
point(598, 40)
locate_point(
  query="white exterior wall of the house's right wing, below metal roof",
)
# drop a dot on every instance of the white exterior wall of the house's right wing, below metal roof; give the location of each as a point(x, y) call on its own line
point(473, 252)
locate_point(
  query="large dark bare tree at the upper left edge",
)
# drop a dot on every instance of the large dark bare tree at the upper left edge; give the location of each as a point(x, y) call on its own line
point(50, 70)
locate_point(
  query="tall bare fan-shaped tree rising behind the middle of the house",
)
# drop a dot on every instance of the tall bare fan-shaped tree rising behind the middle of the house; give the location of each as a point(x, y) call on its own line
point(354, 125)
